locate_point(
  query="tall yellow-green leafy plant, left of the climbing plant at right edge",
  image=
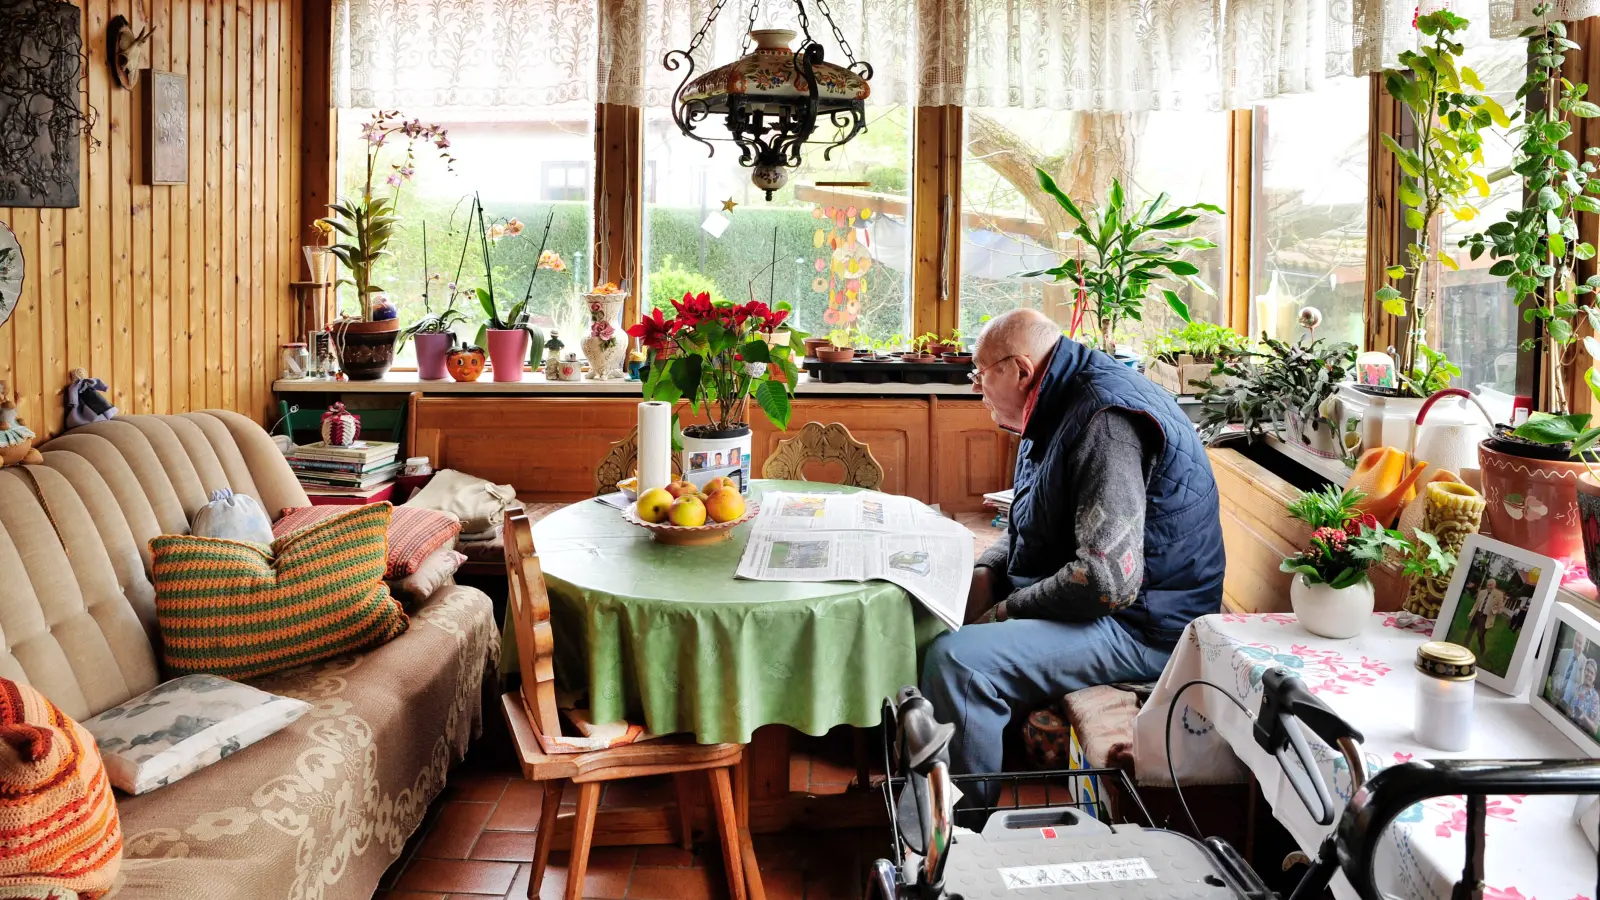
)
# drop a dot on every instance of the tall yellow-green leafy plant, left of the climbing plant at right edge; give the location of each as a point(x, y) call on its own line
point(1449, 111)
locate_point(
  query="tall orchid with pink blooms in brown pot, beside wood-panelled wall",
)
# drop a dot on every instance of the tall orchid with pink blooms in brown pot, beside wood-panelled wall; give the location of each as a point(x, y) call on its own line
point(369, 222)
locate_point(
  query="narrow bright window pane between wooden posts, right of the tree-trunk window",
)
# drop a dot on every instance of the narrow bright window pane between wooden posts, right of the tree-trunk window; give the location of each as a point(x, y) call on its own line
point(1310, 212)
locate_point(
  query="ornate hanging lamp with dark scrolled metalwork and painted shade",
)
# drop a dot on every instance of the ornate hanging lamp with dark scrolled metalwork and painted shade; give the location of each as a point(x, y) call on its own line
point(774, 97)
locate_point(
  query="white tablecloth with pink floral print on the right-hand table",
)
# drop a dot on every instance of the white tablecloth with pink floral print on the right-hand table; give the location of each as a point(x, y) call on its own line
point(1535, 851)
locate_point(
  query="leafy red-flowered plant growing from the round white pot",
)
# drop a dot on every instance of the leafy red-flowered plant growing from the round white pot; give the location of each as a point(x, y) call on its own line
point(1345, 544)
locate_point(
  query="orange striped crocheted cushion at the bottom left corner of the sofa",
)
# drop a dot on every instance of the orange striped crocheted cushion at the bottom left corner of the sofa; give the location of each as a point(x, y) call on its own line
point(58, 819)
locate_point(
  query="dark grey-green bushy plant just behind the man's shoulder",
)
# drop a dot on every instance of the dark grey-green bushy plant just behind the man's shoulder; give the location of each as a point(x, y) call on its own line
point(1266, 387)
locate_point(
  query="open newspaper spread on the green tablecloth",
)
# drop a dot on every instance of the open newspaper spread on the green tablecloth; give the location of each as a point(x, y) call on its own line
point(860, 537)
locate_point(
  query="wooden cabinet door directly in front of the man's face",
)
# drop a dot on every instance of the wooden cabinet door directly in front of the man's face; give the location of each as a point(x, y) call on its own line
point(972, 457)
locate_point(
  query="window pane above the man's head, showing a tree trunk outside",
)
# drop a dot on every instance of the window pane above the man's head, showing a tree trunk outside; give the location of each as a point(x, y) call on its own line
point(1010, 225)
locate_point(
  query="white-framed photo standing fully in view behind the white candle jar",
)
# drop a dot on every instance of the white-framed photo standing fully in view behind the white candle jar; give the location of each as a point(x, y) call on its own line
point(1498, 603)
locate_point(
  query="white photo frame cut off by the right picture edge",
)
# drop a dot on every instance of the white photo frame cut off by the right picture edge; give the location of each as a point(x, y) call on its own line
point(1564, 691)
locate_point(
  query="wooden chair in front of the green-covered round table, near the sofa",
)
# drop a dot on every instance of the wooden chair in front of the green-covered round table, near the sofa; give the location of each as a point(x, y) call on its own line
point(532, 712)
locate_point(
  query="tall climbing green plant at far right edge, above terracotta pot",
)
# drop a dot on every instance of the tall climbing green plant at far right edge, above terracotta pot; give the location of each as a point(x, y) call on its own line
point(1537, 247)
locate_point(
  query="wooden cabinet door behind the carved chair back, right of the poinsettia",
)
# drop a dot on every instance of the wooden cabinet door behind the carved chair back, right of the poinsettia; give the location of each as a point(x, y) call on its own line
point(895, 430)
